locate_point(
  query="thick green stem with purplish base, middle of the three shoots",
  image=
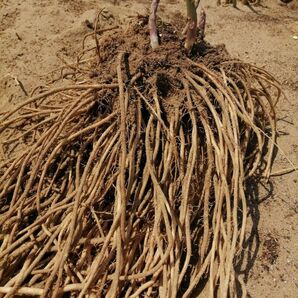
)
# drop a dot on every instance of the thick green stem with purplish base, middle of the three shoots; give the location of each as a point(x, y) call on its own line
point(192, 24)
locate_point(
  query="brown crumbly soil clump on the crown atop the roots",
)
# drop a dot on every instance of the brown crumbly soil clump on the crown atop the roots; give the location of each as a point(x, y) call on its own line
point(143, 62)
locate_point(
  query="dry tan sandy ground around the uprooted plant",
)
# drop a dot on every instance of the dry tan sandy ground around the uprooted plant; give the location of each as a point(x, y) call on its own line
point(35, 33)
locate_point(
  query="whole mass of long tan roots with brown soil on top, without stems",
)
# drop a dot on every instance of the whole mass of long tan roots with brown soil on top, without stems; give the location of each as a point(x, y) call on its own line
point(131, 181)
